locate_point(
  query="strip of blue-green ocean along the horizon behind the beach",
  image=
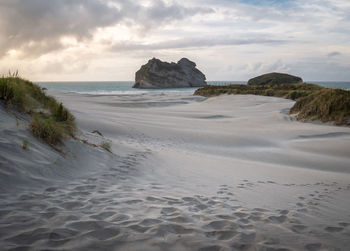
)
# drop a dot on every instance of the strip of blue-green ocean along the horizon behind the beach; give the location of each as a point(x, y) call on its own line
point(125, 87)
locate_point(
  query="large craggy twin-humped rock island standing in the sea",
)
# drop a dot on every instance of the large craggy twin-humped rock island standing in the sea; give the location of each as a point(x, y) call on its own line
point(157, 74)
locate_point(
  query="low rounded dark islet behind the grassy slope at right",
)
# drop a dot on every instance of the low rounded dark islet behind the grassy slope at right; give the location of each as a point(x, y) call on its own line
point(274, 78)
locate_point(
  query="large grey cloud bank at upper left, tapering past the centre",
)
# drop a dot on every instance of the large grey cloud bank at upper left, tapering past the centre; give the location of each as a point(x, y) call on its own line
point(36, 26)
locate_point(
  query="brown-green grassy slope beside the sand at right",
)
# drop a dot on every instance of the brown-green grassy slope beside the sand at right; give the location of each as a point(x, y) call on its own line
point(313, 102)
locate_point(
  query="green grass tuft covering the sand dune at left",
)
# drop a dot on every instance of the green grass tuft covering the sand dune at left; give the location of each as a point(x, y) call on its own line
point(51, 122)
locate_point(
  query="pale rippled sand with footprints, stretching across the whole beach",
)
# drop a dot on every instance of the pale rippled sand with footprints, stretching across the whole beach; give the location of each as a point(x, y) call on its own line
point(231, 172)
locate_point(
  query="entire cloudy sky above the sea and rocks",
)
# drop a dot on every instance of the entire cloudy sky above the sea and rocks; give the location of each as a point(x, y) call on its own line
point(91, 40)
